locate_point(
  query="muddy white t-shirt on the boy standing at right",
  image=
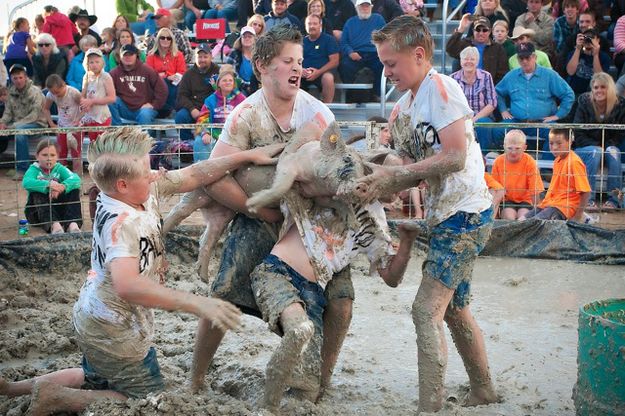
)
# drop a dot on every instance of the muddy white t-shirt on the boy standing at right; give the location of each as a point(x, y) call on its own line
point(414, 127)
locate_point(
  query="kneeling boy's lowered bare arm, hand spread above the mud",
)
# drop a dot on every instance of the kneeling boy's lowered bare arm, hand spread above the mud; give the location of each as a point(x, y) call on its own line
point(133, 288)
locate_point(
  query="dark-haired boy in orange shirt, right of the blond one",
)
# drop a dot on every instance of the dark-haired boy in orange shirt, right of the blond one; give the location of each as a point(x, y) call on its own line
point(569, 189)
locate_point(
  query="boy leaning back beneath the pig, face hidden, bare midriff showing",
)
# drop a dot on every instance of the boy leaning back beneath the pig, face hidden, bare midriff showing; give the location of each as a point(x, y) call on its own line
point(316, 242)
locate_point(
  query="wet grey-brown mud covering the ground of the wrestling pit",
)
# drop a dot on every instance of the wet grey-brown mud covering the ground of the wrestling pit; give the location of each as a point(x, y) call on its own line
point(527, 310)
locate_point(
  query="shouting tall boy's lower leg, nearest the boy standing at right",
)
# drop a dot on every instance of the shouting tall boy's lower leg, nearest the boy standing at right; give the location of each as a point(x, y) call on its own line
point(336, 320)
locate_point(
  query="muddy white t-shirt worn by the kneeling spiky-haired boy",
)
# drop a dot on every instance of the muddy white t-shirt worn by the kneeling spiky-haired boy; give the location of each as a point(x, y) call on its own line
point(102, 320)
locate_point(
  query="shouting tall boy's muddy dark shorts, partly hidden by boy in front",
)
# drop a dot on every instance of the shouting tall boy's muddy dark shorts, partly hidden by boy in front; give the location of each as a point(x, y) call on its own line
point(247, 244)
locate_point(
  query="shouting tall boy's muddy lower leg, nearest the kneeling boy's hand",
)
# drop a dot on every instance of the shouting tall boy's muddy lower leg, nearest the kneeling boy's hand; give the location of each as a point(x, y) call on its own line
point(207, 341)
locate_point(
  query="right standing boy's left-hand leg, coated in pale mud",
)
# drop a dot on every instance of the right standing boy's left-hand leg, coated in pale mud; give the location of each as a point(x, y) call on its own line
point(428, 311)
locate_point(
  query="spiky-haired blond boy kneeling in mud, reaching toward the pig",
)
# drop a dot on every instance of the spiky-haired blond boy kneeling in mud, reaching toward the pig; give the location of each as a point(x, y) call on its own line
point(113, 316)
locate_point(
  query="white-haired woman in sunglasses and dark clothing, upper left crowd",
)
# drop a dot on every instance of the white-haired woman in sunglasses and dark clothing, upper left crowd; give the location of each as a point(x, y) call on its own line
point(47, 60)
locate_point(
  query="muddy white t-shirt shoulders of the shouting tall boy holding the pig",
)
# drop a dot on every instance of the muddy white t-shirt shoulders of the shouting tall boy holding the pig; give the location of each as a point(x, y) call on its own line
point(253, 125)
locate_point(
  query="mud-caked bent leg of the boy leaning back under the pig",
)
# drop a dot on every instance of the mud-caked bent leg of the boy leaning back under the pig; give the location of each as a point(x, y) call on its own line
point(298, 330)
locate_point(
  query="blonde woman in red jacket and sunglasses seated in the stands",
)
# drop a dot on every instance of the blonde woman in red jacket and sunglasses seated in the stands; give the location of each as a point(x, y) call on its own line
point(168, 62)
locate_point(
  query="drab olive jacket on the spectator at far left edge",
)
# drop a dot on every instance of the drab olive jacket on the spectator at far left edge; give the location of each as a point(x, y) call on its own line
point(23, 107)
